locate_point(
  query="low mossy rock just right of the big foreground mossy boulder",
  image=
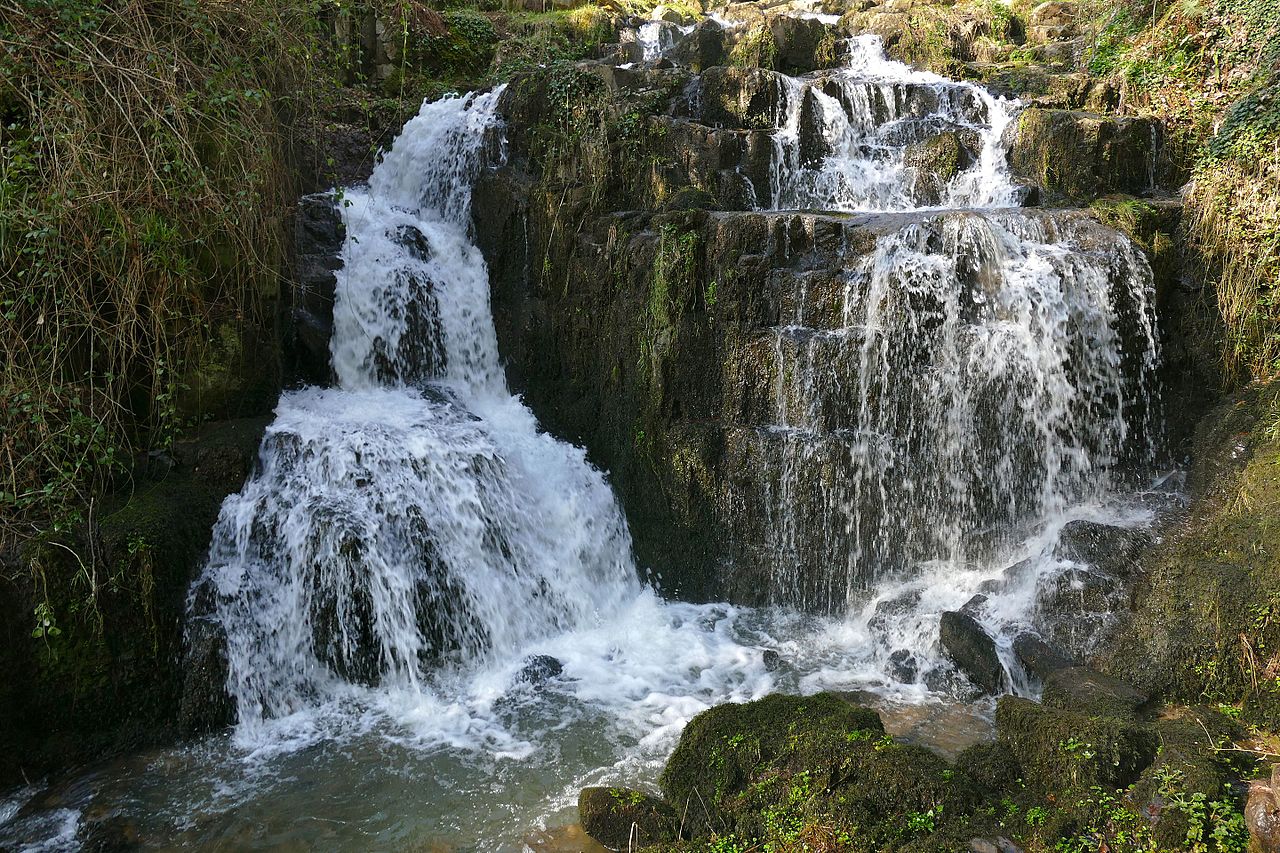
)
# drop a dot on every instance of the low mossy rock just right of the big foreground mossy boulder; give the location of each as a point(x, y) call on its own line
point(1064, 751)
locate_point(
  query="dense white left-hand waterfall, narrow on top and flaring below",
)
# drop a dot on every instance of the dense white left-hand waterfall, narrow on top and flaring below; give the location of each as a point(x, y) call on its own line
point(414, 517)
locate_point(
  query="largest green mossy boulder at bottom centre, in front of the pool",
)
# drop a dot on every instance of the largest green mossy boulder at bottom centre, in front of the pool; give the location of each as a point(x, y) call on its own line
point(810, 763)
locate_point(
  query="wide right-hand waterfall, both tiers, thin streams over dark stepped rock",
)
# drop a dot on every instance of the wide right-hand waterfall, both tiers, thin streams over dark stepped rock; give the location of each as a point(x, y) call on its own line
point(989, 371)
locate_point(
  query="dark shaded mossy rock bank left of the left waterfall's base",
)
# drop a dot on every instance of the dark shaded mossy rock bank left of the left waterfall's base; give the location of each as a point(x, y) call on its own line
point(121, 687)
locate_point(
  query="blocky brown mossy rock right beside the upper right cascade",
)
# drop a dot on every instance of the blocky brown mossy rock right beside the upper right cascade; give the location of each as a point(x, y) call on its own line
point(1084, 156)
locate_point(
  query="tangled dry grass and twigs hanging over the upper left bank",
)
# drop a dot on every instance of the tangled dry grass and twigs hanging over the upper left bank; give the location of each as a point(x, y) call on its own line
point(143, 198)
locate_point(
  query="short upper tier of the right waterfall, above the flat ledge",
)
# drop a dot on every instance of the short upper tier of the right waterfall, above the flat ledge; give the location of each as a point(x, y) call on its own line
point(871, 136)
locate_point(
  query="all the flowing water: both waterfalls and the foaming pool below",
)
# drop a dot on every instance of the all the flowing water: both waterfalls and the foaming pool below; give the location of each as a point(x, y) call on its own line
point(436, 630)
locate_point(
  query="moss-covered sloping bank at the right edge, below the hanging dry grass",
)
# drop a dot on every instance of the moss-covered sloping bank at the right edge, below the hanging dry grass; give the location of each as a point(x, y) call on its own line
point(1206, 622)
